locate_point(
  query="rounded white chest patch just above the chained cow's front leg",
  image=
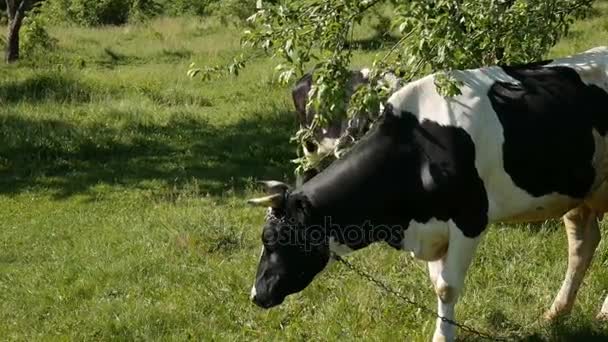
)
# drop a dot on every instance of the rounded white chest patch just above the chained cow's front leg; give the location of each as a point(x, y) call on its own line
point(426, 241)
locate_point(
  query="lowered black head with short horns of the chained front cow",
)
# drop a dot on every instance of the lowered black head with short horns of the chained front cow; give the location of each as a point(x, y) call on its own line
point(294, 250)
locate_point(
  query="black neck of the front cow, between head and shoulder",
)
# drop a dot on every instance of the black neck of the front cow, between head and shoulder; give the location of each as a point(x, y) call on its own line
point(366, 197)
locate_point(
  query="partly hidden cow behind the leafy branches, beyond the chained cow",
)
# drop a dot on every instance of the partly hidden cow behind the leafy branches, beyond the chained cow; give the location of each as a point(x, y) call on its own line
point(324, 140)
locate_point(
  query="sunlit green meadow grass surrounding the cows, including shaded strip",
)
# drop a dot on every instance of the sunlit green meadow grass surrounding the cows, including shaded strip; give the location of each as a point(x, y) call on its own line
point(123, 216)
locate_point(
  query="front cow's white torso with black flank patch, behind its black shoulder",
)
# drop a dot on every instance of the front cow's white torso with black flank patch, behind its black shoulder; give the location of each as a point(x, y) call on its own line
point(539, 132)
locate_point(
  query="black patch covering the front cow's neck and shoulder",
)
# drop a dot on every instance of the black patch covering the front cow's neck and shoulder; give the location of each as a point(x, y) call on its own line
point(376, 189)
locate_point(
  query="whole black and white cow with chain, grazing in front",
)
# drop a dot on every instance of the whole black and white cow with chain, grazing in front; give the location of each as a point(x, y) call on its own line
point(521, 143)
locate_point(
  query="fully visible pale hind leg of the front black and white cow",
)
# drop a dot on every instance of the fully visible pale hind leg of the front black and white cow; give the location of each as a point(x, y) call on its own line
point(583, 237)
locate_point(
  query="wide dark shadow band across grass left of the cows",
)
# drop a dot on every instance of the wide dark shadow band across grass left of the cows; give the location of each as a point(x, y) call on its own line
point(68, 159)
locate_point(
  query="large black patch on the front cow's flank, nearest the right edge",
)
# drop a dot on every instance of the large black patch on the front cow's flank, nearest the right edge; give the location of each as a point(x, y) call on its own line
point(547, 120)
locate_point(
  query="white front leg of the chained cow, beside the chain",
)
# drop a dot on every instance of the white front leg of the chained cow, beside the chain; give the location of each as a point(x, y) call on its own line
point(447, 275)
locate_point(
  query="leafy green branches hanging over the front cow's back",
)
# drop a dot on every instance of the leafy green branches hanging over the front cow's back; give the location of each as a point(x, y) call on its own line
point(425, 36)
